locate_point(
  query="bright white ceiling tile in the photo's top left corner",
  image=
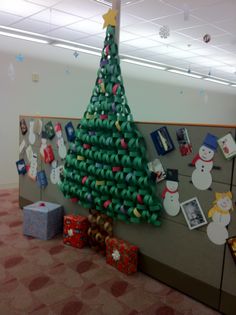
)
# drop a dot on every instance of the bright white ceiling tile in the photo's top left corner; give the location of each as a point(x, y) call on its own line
point(19, 7)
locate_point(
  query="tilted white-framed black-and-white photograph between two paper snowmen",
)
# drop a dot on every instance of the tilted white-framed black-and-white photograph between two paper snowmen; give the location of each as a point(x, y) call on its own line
point(193, 213)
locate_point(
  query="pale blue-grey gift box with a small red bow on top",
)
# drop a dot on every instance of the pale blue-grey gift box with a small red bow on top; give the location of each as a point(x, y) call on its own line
point(42, 220)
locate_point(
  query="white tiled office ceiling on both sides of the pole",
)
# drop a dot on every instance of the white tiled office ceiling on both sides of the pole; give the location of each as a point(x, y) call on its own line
point(188, 21)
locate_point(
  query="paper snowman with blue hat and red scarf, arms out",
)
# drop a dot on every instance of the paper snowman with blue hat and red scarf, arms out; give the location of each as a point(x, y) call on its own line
point(203, 162)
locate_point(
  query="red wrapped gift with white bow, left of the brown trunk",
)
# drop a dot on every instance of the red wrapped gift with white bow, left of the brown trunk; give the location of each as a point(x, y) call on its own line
point(75, 230)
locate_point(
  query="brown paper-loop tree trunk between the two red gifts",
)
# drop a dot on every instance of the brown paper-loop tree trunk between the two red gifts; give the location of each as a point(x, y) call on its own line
point(99, 231)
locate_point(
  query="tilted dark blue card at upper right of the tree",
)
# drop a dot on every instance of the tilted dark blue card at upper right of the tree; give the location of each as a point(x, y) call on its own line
point(162, 141)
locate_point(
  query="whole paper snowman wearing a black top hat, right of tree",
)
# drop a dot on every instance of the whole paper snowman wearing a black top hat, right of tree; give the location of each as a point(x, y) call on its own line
point(170, 194)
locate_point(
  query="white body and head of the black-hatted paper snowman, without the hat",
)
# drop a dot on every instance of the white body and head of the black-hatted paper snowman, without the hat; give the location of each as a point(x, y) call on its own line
point(171, 198)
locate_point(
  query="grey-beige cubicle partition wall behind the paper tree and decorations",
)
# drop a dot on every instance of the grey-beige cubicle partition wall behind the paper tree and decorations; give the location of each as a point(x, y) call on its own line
point(182, 258)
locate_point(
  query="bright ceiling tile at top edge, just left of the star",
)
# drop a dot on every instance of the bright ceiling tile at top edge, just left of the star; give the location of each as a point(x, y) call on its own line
point(83, 8)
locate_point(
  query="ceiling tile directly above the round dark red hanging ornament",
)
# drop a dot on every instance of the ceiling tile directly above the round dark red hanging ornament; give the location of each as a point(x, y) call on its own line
point(199, 31)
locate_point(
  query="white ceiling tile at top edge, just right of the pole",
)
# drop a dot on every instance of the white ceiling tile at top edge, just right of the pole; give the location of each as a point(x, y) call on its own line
point(151, 9)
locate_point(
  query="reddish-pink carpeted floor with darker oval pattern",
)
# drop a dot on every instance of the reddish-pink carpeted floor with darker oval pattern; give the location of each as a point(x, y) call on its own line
point(47, 278)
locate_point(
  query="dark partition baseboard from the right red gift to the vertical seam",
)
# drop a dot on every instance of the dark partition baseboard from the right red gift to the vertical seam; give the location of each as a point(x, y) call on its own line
point(190, 286)
